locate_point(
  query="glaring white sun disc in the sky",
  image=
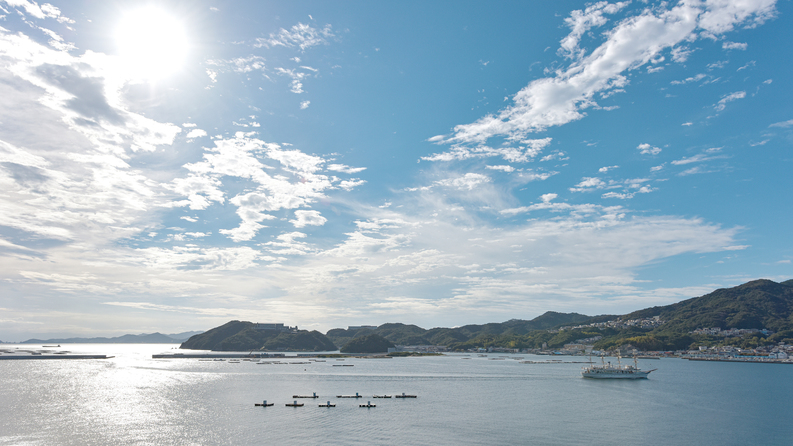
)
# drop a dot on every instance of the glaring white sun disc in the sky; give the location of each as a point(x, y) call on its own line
point(151, 42)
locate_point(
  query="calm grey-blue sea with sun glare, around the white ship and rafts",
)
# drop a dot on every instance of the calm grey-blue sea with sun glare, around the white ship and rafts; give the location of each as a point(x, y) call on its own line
point(133, 399)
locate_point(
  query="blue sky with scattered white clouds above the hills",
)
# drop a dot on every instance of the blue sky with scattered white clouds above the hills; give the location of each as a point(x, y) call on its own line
point(171, 166)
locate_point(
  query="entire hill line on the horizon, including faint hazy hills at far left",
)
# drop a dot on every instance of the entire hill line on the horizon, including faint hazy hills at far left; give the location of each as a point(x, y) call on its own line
point(759, 304)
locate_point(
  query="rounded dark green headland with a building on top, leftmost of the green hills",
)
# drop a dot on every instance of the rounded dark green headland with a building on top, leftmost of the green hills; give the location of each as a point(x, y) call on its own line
point(241, 336)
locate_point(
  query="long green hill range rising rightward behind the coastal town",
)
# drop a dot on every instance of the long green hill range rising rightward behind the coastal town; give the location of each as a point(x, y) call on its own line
point(760, 304)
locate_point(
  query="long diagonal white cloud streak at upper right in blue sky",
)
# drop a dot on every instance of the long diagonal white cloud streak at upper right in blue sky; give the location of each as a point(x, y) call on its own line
point(633, 42)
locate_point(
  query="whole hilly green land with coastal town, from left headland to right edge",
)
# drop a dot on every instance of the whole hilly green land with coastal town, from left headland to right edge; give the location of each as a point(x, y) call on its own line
point(755, 314)
